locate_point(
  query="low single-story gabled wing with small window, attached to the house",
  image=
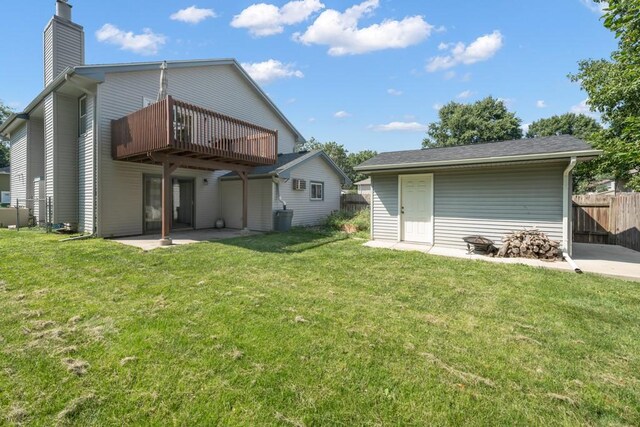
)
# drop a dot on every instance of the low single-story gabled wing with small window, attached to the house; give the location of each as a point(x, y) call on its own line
point(307, 182)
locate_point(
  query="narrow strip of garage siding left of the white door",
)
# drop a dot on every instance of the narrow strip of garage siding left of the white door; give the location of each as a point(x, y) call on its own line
point(384, 207)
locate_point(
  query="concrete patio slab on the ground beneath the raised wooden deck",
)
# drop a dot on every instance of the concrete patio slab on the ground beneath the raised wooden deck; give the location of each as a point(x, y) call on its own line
point(152, 241)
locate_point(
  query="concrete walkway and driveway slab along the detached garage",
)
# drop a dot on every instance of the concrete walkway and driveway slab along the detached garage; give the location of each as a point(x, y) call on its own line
point(609, 260)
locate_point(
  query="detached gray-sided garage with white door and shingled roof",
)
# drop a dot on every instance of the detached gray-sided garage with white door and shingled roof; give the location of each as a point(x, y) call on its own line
point(437, 196)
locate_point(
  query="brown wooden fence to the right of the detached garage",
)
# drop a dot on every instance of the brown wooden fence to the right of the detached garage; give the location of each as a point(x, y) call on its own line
point(609, 220)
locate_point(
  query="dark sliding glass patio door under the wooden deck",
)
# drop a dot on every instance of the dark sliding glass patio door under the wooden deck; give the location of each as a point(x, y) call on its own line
point(182, 208)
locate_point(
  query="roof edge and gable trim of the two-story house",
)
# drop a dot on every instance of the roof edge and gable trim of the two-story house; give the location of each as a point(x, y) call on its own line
point(97, 72)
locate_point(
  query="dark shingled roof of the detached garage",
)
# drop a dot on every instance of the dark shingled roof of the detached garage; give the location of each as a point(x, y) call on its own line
point(552, 147)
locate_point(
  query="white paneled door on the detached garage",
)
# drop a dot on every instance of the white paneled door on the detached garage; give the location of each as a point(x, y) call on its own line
point(416, 208)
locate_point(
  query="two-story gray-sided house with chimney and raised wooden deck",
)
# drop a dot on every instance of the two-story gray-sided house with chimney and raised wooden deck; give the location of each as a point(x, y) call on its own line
point(97, 145)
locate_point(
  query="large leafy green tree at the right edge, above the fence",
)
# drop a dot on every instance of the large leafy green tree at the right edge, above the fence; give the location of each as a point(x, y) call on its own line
point(613, 87)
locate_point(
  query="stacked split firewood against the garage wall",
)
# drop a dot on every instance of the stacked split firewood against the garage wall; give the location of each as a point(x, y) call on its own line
point(529, 244)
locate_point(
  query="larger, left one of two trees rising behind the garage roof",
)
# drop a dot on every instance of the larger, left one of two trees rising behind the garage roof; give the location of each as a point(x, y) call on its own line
point(485, 120)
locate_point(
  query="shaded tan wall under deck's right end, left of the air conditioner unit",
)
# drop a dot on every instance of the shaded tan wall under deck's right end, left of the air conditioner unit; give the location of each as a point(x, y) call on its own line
point(260, 204)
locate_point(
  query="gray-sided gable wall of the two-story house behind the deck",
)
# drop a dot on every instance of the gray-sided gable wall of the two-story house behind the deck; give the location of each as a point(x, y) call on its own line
point(219, 88)
